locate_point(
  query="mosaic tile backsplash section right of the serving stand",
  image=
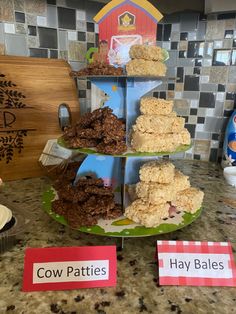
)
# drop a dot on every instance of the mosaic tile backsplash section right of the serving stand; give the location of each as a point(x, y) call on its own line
point(203, 57)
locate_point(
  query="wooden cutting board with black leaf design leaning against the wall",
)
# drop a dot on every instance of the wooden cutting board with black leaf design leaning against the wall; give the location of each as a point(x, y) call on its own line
point(31, 90)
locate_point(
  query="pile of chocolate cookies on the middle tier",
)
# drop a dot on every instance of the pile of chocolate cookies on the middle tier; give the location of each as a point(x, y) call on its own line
point(100, 129)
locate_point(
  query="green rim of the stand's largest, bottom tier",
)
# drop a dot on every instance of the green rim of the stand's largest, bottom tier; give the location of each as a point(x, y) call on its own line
point(138, 231)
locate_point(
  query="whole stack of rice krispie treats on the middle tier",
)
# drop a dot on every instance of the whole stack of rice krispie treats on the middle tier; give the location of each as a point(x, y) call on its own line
point(158, 129)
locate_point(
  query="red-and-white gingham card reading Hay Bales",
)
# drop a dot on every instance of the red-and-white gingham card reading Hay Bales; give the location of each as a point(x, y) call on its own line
point(194, 263)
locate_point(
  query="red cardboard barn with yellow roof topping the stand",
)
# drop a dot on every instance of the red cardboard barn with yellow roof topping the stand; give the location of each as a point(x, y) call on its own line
point(123, 23)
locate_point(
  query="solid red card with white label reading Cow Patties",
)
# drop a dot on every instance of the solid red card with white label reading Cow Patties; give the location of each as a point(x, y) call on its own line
point(63, 268)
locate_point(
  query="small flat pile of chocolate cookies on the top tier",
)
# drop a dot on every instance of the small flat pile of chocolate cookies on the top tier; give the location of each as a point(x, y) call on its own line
point(98, 68)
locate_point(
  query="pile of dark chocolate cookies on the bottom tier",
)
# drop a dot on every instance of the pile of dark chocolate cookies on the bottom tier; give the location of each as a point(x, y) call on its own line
point(85, 202)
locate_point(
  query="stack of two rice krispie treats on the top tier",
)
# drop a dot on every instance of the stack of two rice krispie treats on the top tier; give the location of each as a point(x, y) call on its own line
point(146, 61)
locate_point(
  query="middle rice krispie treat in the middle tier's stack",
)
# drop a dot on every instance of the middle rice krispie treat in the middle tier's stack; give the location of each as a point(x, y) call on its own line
point(162, 124)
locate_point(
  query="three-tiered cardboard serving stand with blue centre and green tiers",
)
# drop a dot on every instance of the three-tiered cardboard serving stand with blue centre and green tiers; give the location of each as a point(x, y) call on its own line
point(120, 171)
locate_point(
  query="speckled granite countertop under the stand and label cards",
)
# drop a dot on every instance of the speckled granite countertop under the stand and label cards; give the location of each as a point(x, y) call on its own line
point(137, 289)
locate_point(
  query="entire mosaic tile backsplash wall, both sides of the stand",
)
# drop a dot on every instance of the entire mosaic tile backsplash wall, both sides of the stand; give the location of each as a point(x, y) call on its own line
point(202, 56)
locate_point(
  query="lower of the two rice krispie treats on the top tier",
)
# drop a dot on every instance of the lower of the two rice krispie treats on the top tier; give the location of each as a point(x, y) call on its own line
point(145, 68)
